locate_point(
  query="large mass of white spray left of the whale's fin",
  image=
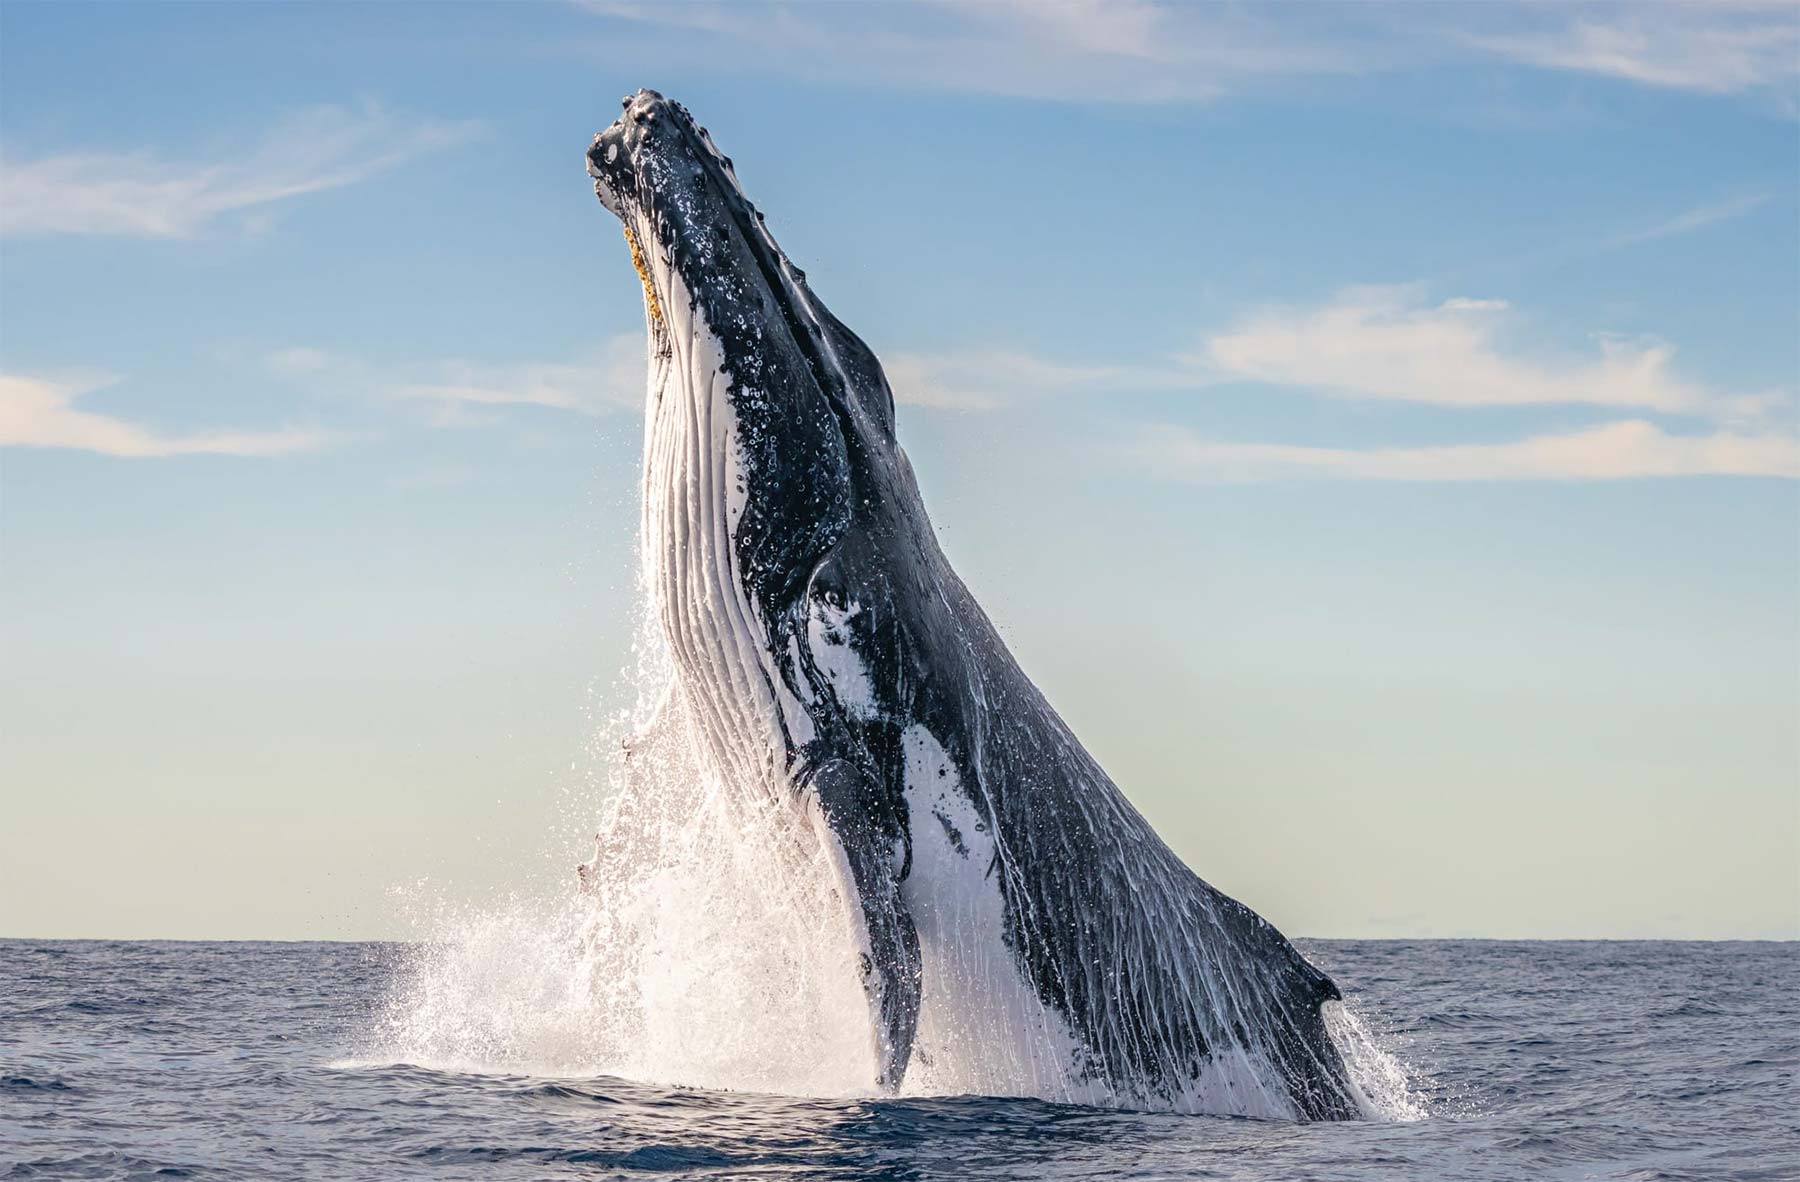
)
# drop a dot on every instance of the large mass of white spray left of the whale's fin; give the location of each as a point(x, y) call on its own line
point(703, 947)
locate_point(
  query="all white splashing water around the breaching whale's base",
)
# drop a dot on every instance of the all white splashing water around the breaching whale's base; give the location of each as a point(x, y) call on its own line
point(706, 945)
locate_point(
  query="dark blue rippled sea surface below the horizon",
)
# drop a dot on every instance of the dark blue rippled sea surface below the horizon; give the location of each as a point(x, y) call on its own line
point(1536, 1061)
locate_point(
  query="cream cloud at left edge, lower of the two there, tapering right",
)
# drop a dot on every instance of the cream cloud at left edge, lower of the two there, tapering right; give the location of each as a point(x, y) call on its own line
point(40, 413)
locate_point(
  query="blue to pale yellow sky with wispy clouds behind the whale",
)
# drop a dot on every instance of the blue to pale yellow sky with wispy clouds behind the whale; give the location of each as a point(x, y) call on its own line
point(1374, 427)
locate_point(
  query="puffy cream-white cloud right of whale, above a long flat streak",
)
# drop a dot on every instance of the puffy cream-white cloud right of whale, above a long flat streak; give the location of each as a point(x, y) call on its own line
point(1392, 345)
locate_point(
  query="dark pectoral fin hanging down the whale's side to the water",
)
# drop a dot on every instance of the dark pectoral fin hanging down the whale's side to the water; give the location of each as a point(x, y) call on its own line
point(876, 850)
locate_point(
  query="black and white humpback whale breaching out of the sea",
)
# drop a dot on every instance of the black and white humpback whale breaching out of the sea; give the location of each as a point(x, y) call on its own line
point(831, 659)
